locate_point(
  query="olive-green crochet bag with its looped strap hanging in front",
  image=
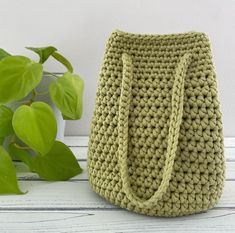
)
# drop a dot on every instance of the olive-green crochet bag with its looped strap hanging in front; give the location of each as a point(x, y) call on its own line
point(156, 140)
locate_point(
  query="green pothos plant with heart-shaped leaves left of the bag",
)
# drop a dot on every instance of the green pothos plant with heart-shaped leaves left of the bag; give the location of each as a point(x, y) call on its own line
point(28, 133)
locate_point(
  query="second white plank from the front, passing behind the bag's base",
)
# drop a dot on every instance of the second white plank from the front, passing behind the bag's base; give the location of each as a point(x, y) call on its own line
point(75, 195)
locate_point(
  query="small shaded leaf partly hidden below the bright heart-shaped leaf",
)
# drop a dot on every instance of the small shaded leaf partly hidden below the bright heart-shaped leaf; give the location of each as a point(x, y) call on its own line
point(22, 155)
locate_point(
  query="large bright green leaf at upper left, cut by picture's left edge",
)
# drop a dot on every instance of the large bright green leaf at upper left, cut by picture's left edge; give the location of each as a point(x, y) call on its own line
point(18, 76)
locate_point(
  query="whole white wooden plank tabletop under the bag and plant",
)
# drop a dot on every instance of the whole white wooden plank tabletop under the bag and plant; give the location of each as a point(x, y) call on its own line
point(73, 207)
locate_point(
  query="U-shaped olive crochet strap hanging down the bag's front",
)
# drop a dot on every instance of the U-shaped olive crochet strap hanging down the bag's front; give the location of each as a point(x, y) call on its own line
point(177, 101)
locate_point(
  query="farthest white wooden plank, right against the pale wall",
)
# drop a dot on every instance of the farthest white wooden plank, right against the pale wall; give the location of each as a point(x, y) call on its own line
point(74, 141)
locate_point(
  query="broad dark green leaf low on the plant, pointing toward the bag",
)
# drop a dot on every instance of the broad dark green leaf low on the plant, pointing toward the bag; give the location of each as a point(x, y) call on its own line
point(58, 164)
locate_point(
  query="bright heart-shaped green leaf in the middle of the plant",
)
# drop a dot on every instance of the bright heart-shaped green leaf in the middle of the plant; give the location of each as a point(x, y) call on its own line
point(36, 126)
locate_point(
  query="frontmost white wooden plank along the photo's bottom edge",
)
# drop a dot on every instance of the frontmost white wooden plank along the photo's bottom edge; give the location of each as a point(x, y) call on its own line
point(109, 221)
